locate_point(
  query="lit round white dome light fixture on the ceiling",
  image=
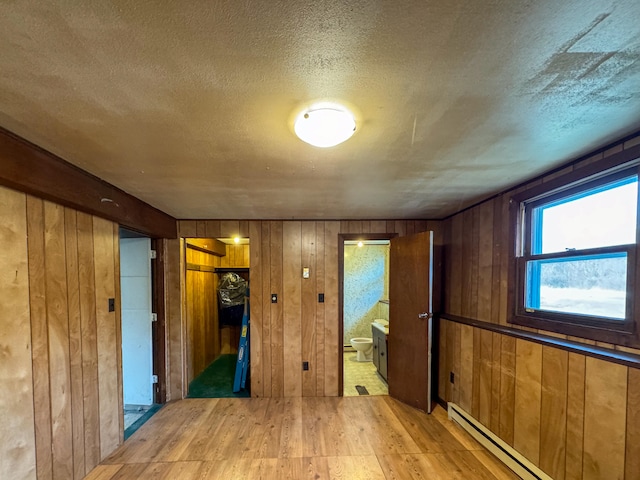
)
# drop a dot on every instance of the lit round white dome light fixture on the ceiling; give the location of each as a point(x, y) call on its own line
point(325, 125)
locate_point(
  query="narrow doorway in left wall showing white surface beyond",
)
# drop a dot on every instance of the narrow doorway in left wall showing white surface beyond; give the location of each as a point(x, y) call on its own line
point(141, 397)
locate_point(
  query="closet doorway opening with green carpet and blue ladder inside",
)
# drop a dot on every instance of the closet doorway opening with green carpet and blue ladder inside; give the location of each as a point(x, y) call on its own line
point(217, 309)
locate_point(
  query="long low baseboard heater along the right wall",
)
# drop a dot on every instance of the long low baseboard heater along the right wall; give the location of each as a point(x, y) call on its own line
point(511, 458)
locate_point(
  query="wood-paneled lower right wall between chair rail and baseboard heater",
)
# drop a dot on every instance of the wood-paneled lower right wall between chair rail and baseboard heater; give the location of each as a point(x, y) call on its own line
point(575, 417)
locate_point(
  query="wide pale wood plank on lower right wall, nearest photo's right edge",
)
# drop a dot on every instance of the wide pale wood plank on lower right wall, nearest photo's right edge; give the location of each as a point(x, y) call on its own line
point(604, 420)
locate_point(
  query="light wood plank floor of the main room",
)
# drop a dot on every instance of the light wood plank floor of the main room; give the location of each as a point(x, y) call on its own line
point(299, 438)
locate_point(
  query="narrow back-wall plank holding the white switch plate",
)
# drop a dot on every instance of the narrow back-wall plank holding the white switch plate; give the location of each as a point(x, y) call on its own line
point(309, 300)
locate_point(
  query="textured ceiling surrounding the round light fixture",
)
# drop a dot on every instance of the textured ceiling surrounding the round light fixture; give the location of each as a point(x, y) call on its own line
point(188, 104)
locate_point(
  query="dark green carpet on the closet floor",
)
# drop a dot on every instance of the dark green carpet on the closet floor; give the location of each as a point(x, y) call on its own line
point(216, 381)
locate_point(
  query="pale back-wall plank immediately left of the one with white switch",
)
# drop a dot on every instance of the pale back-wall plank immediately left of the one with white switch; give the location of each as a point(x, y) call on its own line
point(292, 308)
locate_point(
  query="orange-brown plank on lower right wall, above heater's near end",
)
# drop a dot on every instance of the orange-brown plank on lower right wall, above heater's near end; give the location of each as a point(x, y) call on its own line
point(555, 364)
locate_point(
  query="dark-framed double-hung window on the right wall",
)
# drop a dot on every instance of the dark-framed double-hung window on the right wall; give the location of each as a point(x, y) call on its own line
point(576, 256)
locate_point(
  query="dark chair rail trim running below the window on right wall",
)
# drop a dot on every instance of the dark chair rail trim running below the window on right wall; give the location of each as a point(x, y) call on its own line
point(607, 354)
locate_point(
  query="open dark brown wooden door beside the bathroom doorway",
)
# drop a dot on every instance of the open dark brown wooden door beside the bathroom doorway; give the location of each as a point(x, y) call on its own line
point(410, 319)
